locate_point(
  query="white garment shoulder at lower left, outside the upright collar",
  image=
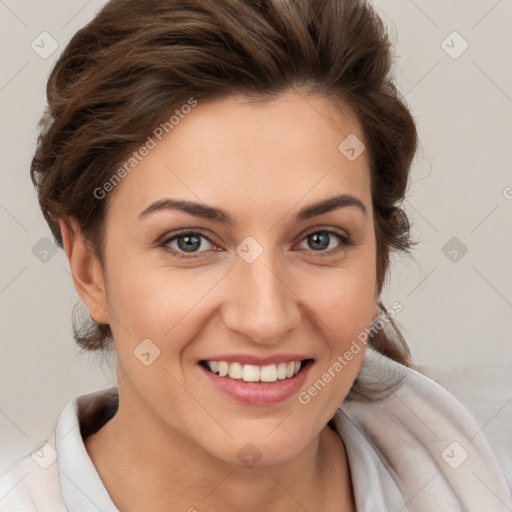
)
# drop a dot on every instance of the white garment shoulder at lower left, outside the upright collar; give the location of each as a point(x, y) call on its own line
point(32, 483)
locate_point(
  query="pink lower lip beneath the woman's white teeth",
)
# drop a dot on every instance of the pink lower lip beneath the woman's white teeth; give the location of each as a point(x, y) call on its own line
point(258, 393)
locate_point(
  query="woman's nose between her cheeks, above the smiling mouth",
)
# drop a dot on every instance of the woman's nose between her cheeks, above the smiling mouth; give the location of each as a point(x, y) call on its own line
point(259, 302)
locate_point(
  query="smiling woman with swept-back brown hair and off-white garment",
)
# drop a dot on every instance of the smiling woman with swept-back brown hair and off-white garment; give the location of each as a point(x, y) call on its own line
point(225, 179)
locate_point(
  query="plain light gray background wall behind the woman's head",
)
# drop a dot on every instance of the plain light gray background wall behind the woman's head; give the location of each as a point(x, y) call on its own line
point(453, 311)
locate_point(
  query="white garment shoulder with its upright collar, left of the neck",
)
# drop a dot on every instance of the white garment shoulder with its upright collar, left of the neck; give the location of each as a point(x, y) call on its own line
point(46, 479)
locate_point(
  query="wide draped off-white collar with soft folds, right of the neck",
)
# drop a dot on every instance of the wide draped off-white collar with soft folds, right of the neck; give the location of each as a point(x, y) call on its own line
point(418, 449)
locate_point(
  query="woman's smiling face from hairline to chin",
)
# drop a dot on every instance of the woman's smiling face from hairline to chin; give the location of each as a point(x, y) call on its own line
point(269, 290)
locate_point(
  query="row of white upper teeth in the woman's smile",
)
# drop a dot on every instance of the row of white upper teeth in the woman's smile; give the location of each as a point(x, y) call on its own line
point(253, 373)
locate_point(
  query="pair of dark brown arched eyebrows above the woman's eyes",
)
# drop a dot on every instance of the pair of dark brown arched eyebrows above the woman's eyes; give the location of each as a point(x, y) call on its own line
point(221, 215)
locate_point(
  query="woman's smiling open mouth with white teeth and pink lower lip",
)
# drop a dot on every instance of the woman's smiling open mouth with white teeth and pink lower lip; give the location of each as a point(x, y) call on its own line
point(257, 384)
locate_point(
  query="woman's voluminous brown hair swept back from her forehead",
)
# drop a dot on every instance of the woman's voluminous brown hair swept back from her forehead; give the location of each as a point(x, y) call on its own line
point(138, 61)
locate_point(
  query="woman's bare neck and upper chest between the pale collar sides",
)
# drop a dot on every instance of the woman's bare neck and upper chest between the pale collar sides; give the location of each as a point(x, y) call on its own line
point(173, 473)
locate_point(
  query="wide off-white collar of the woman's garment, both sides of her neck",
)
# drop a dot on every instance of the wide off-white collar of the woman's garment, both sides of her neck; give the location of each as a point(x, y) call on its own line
point(417, 449)
